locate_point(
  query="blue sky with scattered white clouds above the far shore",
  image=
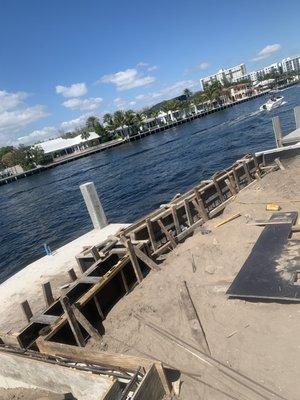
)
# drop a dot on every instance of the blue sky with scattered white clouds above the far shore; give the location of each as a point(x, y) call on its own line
point(63, 60)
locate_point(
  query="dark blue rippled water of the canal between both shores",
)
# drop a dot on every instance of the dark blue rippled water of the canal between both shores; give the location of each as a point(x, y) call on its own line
point(132, 179)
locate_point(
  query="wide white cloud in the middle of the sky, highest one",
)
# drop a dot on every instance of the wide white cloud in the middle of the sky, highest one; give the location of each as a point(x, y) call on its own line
point(128, 79)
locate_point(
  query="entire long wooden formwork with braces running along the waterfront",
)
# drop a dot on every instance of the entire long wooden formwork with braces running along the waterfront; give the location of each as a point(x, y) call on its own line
point(112, 268)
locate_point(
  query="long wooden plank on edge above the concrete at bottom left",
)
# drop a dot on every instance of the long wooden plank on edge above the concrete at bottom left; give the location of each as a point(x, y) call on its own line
point(80, 354)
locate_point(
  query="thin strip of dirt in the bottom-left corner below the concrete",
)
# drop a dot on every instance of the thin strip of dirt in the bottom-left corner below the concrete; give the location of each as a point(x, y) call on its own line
point(28, 394)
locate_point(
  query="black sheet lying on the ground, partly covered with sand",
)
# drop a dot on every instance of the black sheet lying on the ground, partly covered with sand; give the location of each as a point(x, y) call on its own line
point(270, 270)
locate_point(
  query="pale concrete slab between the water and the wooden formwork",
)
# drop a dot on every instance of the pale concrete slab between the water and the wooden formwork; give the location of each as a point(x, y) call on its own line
point(27, 283)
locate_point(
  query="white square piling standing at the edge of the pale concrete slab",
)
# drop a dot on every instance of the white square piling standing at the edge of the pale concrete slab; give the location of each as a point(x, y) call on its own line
point(93, 205)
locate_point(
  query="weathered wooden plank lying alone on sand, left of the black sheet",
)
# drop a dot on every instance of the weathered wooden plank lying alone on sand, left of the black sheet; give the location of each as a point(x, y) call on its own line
point(193, 318)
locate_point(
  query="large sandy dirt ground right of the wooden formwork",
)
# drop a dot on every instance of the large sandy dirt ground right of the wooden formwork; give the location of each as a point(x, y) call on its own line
point(256, 338)
